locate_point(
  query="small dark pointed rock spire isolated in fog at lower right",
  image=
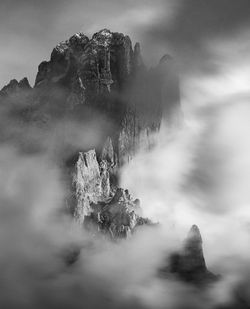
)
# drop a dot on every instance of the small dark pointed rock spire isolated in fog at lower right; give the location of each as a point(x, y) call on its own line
point(189, 264)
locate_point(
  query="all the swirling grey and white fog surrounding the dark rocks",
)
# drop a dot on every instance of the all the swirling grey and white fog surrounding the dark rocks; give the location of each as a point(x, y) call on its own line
point(198, 172)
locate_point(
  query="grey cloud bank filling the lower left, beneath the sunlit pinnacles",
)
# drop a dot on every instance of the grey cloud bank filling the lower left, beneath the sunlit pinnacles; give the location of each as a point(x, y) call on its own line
point(35, 235)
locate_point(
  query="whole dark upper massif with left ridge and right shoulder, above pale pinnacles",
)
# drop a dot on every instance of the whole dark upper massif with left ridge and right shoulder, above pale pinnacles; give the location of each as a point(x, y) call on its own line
point(103, 76)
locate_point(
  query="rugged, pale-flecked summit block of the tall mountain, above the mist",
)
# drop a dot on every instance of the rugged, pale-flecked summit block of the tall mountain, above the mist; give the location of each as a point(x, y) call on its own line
point(89, 66)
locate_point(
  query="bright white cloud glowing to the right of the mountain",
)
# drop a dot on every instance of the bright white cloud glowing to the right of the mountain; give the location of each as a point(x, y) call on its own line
point(199, 174)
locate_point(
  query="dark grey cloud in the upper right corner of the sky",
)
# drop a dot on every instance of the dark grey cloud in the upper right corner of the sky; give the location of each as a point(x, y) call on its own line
point(193, 27)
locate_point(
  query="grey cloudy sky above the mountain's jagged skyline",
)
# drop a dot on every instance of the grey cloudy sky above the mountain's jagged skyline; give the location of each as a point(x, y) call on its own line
point(188, 29)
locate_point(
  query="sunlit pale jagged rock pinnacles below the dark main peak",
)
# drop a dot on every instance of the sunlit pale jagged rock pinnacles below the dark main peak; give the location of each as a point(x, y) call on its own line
point(100, 205)
